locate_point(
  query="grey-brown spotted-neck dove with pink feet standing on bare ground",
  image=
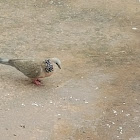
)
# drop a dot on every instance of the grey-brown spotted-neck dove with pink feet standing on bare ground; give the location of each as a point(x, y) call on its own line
point(33, 69)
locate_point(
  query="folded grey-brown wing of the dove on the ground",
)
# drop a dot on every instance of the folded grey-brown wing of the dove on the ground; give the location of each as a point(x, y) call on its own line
point(30, 68)
